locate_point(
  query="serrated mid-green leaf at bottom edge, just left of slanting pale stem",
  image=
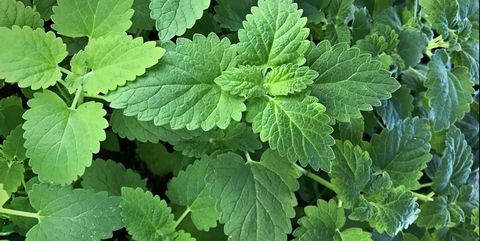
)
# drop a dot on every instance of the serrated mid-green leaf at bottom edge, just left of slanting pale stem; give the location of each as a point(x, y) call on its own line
point(146, 217)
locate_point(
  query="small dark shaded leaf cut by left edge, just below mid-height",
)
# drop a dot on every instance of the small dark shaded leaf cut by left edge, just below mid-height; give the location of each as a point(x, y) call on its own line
point(13, 145)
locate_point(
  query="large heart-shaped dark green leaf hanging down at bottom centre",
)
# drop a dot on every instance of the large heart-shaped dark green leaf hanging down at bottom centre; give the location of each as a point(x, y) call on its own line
point(256, 199)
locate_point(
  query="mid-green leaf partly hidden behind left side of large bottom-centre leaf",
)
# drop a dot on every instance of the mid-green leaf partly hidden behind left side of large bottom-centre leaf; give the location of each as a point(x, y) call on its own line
point(190, 188)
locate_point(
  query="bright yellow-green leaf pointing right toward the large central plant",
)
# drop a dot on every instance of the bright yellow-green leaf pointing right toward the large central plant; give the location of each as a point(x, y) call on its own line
point(127, 59)
